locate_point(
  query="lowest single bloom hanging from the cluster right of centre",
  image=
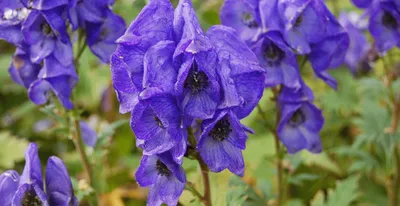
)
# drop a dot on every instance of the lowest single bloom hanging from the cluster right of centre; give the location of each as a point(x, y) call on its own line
point(299, 126)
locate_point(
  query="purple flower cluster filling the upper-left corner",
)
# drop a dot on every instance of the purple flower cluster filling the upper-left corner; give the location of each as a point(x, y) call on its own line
point(43, 61)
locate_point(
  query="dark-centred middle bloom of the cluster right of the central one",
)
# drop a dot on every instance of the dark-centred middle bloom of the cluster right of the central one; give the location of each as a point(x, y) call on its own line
point(278, 61)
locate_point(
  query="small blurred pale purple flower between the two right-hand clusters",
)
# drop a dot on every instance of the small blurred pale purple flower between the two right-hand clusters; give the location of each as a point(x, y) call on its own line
point(357, 54)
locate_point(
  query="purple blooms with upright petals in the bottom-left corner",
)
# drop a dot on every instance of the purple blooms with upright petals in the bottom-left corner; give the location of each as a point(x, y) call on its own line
point(28, 189)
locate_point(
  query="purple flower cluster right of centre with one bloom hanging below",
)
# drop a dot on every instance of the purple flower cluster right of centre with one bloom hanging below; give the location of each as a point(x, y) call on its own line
point(278, 31)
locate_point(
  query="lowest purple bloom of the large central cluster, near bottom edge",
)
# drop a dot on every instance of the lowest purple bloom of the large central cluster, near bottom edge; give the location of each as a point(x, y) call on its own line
point(166, 179)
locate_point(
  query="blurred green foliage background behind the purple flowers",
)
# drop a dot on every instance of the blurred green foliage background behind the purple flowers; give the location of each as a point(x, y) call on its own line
point(353, 169)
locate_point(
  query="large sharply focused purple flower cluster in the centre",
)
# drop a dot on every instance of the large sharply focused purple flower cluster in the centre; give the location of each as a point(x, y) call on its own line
point(175, 78)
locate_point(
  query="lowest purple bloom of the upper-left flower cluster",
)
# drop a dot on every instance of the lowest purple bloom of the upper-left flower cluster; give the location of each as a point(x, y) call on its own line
point(55, 78)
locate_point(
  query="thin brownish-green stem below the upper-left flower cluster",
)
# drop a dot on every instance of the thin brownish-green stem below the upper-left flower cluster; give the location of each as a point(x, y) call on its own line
point(78, 141)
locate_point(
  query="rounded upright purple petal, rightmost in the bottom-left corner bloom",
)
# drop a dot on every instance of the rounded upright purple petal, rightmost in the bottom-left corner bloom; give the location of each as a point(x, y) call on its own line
point(58, 184)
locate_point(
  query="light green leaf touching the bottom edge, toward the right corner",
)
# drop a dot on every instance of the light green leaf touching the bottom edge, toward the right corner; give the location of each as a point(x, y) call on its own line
point(344, 194)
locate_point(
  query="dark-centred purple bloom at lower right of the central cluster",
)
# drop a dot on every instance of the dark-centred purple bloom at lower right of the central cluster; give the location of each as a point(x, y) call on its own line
point(221, 143)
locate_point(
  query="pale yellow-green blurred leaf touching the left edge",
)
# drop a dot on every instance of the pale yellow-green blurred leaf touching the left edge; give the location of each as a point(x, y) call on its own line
point(12, 150)
